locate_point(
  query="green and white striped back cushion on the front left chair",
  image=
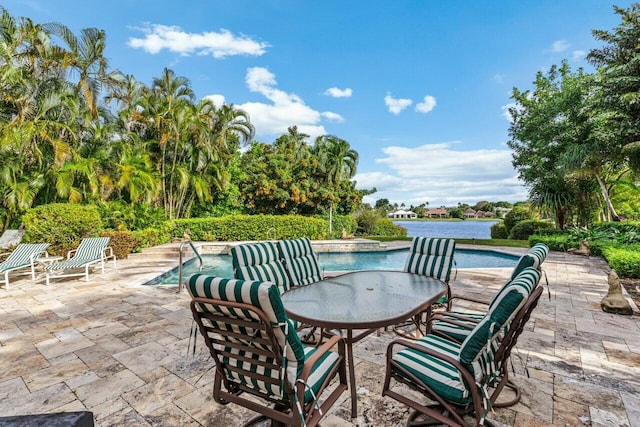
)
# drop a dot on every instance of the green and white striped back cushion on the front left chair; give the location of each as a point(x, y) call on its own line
point(262, 295)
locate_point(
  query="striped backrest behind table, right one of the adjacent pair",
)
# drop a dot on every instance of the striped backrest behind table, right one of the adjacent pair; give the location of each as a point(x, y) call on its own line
point(300, 261)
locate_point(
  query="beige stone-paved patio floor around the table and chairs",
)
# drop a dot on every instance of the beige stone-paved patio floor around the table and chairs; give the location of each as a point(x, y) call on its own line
point(119, 349)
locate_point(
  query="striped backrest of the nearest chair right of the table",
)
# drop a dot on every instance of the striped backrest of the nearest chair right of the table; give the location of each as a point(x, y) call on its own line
point(478, 351)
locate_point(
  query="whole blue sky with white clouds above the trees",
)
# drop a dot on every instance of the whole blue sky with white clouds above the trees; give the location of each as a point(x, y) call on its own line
point(418, 88)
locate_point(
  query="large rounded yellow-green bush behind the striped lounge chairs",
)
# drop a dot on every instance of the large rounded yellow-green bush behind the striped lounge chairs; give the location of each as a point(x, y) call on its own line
point(62, 225)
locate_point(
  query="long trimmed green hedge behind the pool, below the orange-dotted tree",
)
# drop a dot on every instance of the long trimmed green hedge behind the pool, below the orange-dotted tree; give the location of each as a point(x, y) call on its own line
point(252, 227)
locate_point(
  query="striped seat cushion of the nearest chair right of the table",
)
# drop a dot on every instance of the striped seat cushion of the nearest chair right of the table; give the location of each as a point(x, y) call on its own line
point(442, 377)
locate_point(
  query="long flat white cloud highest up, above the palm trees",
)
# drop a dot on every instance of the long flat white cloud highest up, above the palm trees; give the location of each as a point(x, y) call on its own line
point(218, 44)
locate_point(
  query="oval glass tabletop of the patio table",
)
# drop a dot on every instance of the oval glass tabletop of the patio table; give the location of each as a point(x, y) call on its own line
point(363, 299)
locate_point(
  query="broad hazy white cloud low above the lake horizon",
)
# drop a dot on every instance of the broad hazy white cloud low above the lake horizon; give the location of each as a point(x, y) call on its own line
point(451, 177)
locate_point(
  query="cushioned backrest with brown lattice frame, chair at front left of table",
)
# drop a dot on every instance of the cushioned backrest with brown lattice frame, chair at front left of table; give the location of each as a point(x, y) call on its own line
point(248, 333)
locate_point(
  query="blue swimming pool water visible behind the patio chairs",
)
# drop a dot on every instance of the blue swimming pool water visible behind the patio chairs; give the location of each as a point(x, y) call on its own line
point(220, 265)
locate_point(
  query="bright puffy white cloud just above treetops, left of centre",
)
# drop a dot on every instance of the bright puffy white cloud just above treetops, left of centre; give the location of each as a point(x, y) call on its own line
point(284, 110)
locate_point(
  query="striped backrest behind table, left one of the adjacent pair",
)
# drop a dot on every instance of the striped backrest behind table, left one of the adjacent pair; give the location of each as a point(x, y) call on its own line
point(259, 261)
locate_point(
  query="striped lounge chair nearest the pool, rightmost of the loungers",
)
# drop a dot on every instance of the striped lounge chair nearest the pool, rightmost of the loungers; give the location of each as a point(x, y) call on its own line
point(91, 251)
